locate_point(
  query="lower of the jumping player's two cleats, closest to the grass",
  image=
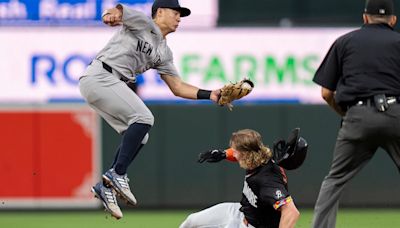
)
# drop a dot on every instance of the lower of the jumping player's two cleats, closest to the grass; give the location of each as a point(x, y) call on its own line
point(107, 197)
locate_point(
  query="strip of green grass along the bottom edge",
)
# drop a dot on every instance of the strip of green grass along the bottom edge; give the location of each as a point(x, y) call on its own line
point(347, 218)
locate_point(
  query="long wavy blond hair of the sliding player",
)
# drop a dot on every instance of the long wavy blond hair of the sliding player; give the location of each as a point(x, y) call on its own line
point(253, 152)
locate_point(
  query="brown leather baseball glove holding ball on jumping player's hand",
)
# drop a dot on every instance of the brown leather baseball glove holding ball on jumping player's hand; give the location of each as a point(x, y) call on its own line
point(235, 91)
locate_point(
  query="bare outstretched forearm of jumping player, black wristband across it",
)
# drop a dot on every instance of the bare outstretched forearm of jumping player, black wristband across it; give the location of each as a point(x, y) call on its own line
point(182, 89)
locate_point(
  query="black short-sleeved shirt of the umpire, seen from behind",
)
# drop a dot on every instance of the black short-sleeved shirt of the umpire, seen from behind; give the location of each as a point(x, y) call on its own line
point(362, 63)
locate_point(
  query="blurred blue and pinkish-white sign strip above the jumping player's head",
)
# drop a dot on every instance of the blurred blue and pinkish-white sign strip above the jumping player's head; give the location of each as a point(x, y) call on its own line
point(88, 12)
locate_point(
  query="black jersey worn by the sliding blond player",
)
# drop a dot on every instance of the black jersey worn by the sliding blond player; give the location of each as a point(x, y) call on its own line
point(264, 192)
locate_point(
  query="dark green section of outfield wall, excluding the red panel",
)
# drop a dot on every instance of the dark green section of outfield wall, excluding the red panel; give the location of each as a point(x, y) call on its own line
point(166, 174)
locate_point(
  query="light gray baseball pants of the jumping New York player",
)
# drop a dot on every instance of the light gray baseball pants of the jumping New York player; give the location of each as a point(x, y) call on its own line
point(112, 99)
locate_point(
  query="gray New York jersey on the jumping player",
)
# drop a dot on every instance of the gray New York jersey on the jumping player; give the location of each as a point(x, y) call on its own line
point(137, 47)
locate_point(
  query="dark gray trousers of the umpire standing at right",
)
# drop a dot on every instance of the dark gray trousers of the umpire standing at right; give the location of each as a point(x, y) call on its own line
point(363, 130)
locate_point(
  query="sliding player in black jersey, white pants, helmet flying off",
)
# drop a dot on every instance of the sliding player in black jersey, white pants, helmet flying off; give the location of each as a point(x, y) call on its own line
point(266, 201)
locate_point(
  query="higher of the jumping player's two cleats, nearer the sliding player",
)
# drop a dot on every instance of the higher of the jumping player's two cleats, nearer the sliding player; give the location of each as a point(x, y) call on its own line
point(120, 184)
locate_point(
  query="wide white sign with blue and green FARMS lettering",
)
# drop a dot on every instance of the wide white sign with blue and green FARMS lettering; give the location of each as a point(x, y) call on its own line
point(44, 64)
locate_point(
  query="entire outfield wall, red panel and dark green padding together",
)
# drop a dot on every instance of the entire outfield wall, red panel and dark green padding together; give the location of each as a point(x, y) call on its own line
point(52, 154)
